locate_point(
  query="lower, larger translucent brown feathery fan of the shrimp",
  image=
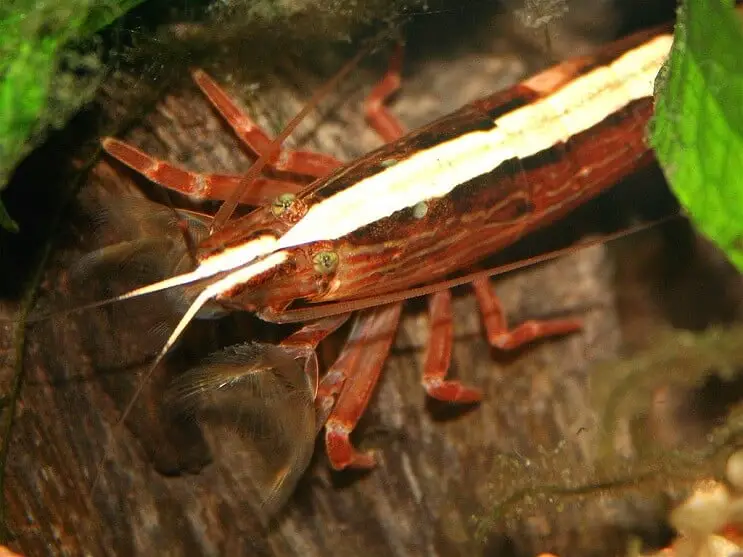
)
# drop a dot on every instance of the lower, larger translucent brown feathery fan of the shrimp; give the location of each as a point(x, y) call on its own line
point(261, 393)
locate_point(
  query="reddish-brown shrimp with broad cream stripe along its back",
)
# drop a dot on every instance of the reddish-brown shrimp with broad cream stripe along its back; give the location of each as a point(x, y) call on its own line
point(426, 204)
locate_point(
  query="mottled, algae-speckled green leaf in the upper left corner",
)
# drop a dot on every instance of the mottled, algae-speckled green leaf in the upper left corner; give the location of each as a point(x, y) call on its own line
point(46, 73)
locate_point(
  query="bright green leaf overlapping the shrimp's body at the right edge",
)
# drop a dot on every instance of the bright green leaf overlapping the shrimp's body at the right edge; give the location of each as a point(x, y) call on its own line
point(697, 131)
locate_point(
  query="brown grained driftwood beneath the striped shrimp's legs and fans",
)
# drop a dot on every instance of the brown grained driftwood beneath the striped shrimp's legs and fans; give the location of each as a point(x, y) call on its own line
point(166, 490)
